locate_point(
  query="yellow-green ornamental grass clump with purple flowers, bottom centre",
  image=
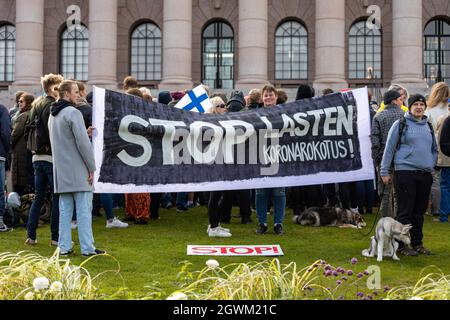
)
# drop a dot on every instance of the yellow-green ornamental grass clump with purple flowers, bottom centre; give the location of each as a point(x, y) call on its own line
point(270, 280)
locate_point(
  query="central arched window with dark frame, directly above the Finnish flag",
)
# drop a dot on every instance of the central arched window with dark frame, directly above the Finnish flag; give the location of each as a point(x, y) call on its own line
point(218, 56)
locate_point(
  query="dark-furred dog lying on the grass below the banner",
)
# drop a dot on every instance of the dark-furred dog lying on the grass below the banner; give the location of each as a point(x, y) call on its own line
point(330, 216)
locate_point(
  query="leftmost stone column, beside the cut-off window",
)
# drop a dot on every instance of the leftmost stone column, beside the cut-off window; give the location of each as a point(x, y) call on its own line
point(29, 43)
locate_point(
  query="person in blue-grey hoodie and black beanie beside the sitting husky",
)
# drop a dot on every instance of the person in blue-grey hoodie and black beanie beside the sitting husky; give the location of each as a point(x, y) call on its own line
point(413, 152)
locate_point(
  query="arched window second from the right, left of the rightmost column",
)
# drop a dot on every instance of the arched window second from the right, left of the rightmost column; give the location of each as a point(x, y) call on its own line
point(364, 52)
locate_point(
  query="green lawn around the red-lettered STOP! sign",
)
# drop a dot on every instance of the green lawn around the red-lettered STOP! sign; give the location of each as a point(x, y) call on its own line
point(149, 254)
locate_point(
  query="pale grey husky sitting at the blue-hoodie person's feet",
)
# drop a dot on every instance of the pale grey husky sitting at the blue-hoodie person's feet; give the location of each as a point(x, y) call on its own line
point(384, 243)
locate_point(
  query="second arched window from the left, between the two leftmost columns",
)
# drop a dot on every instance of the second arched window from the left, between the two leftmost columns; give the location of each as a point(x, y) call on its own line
point(75, 53)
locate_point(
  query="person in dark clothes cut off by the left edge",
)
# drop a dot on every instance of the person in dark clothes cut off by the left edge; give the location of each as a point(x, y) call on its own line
point(5, 134)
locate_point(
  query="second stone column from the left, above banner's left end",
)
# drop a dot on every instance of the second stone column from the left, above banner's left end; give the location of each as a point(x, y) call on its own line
point(103, 43)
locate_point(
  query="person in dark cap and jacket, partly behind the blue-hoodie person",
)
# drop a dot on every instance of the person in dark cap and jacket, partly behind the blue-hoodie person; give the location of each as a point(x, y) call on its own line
point(381, 124)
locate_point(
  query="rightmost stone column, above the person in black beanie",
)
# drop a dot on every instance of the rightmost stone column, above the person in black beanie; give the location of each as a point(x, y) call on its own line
point(407, 39)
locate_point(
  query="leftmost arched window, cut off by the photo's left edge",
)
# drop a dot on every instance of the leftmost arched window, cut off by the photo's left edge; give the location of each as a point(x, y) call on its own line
point(7, 52)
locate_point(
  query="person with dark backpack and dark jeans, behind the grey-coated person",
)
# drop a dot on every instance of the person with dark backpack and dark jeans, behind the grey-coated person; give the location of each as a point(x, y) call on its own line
point(38, 142)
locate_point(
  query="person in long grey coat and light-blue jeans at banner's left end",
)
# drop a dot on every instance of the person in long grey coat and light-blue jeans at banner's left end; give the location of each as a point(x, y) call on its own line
point(73, 170)
